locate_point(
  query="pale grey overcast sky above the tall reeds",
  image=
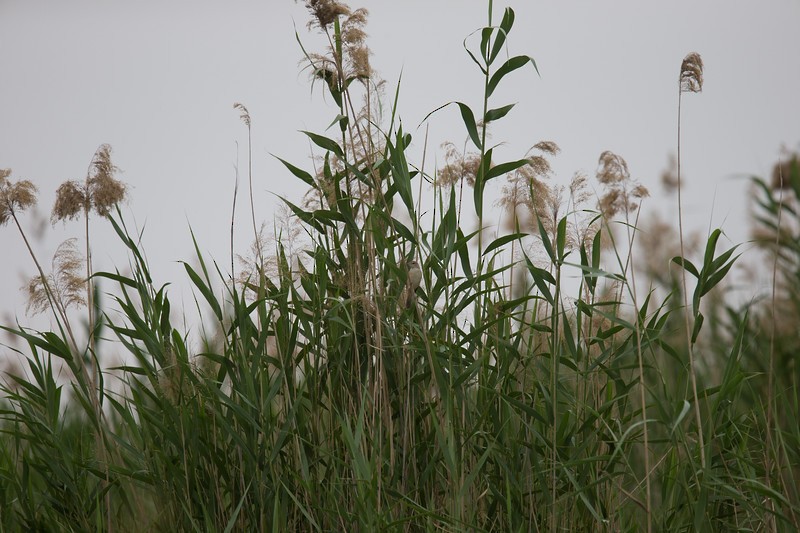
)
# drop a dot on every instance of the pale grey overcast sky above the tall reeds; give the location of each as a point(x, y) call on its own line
point(157, 81)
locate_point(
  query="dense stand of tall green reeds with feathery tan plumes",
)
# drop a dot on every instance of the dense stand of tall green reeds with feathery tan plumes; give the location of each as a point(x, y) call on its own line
point(485, 404)
